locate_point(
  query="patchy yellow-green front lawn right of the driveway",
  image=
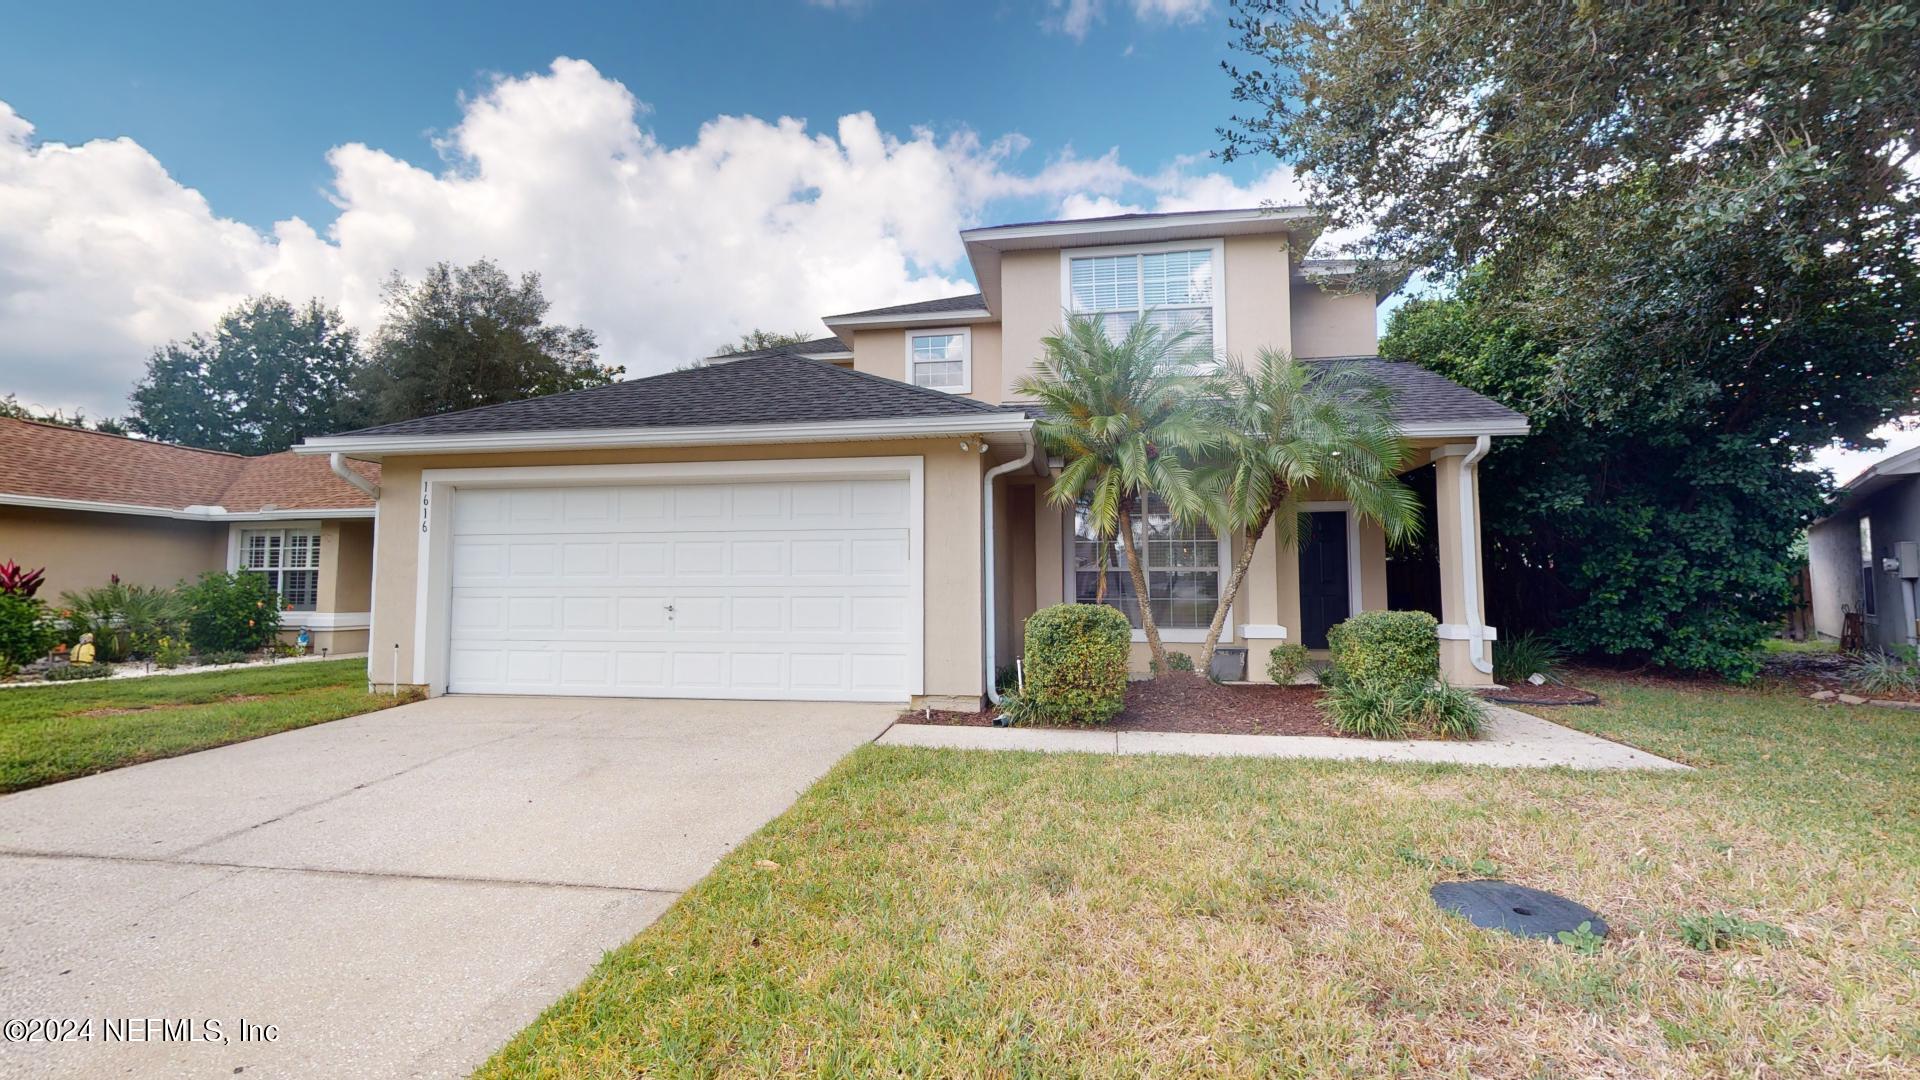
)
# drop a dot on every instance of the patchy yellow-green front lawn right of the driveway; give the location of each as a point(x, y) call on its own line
point(951, 914)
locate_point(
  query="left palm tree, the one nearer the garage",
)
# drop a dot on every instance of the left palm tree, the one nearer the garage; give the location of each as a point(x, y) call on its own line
point(1126, 420)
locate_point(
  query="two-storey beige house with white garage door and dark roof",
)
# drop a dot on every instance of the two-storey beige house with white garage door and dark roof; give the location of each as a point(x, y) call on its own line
point(865, 516)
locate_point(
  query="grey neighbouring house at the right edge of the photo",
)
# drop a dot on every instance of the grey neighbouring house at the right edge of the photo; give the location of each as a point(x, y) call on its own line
point(1865, 554)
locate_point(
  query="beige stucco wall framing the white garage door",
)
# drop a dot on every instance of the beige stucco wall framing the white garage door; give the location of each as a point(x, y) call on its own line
point(953, 543)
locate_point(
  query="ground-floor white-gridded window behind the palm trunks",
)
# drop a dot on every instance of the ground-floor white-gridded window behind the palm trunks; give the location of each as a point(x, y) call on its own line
point(1184, 566)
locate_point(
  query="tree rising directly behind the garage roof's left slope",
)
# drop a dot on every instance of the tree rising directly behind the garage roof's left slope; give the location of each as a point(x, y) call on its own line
point(469, 337)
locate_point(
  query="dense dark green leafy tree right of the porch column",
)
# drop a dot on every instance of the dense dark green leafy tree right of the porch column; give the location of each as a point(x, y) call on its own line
point(1646, 539)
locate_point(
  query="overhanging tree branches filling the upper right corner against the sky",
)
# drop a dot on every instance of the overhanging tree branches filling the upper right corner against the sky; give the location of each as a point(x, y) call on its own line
point(1671, 193)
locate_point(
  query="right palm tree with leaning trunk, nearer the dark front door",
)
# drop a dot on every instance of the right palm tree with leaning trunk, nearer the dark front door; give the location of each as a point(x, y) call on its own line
point(1291, 431)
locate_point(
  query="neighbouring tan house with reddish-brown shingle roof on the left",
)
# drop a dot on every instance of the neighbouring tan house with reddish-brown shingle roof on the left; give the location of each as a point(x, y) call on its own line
point(89, 506)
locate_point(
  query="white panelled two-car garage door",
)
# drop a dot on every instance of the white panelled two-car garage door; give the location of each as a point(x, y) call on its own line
point(796, 589)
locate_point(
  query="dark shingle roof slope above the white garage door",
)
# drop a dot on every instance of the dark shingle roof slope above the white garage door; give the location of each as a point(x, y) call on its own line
point(777, 389)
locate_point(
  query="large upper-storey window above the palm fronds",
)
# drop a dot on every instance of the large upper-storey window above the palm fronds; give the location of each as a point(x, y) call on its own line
point(1174, 287)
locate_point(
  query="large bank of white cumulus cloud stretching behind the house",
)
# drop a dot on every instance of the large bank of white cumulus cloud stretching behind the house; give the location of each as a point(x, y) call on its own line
point(663, 251)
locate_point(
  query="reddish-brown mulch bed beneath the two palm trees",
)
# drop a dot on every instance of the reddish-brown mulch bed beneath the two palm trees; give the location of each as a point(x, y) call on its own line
point(1180, 702)
